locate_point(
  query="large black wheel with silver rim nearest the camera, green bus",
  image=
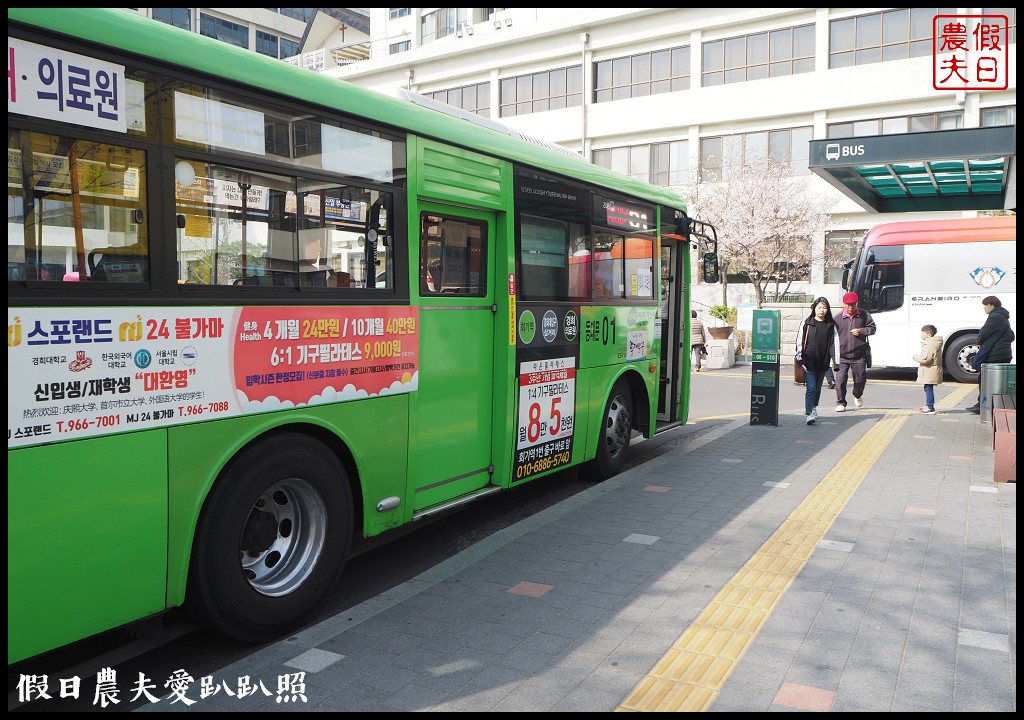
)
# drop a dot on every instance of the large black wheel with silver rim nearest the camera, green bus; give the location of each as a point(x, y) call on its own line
point(272, 540)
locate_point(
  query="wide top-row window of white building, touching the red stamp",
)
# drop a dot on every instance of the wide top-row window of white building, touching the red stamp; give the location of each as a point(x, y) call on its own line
point(893, 35)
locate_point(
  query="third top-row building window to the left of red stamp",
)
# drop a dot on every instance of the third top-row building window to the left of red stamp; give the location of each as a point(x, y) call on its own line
point(645, 74)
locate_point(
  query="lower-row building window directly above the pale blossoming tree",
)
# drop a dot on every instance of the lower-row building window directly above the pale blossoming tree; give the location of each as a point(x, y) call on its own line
point(723, 157)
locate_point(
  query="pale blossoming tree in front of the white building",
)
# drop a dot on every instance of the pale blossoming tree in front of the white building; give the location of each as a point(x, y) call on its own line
point(767, 221)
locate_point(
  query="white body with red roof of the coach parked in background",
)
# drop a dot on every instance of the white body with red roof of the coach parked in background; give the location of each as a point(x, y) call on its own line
point(949, 267)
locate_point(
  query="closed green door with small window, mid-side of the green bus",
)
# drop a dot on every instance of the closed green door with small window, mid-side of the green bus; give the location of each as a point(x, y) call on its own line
point(452, 453)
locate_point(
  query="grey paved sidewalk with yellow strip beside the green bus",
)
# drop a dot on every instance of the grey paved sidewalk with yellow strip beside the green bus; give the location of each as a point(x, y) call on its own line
point(866, 564)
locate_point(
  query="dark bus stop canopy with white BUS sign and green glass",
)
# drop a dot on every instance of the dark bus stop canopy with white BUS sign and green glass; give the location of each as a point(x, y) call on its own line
point(970, 170)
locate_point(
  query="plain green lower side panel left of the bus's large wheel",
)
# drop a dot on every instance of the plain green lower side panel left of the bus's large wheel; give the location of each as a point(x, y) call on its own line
point(88, 525)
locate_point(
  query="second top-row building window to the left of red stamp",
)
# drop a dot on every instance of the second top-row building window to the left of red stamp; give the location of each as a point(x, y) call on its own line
point(769, 55)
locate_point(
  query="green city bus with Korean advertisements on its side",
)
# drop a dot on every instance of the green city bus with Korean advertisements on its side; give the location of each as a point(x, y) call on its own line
point(254, 313)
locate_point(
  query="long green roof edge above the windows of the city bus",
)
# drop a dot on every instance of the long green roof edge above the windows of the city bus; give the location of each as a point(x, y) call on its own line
point(193, 53)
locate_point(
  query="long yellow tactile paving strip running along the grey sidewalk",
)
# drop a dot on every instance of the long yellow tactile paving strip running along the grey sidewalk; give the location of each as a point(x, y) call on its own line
point(691, 675)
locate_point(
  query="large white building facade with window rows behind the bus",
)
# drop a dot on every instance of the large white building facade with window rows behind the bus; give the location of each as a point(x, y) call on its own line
point(656, 93)
